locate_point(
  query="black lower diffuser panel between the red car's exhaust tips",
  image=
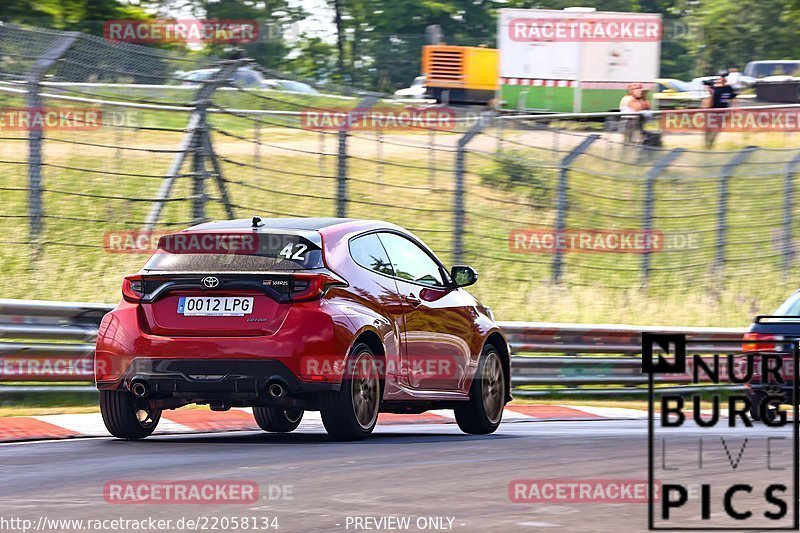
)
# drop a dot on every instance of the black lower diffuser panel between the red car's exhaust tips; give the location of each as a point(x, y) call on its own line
point(212, 379)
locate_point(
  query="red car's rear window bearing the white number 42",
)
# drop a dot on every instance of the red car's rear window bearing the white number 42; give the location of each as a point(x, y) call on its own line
point(234, 252)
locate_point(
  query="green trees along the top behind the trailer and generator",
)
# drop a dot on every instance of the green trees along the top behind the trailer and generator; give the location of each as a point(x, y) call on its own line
point(376, 44)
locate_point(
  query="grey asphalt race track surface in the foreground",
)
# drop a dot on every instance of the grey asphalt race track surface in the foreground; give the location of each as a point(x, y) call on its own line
point(411, 471)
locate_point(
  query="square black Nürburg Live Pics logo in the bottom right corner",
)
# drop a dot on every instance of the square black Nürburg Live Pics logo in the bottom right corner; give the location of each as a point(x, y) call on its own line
point(722, 434)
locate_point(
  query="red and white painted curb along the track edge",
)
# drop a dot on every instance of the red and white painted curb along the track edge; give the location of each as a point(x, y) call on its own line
point(182, 421)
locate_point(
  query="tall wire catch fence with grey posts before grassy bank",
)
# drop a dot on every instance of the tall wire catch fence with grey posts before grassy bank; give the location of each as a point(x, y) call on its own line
point(563, 220)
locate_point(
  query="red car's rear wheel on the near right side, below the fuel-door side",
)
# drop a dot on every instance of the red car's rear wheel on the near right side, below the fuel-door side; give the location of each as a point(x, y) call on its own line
point(352, 412)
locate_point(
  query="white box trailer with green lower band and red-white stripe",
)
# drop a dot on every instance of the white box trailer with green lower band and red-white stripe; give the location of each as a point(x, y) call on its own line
point(575, 60)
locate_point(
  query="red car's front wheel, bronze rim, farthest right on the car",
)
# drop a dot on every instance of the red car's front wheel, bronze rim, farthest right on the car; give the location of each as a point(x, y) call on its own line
point(483, 412)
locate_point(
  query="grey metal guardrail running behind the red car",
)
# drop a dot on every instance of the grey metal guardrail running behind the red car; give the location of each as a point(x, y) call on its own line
point(568, 355)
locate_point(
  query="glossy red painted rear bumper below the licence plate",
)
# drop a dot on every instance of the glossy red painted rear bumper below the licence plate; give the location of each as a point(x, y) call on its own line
point(311, 336)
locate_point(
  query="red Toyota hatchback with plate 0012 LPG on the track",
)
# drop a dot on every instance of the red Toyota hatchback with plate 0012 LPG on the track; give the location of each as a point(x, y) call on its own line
point(347, 317)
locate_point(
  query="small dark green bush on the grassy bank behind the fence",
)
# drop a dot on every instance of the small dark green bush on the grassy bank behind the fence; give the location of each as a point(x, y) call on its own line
point(516, 172)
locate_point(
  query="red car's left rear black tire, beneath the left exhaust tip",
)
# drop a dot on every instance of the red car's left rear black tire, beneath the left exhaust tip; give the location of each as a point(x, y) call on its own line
point(124, 418)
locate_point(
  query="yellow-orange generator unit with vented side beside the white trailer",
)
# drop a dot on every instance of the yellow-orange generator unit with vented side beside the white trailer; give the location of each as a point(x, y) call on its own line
point(461, 74)
